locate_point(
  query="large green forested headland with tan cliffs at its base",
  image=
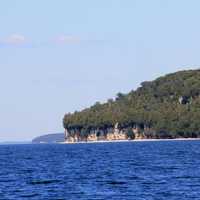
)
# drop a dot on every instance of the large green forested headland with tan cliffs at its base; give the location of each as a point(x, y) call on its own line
point(166, 108)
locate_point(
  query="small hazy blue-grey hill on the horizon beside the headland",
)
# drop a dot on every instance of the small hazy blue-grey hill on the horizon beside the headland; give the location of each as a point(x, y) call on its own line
point(49, 138)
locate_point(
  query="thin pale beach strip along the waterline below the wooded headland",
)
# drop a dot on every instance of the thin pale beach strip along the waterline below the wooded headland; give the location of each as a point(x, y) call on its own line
point(136, 140)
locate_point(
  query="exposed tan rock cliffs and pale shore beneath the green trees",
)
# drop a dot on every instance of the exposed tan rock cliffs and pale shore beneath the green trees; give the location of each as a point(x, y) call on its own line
point(116, 134)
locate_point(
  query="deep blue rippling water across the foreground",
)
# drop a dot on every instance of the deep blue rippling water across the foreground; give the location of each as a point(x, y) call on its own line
point(132, 170)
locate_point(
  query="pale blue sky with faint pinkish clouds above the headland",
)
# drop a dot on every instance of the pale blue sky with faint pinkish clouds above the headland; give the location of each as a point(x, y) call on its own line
point(61, 56)
